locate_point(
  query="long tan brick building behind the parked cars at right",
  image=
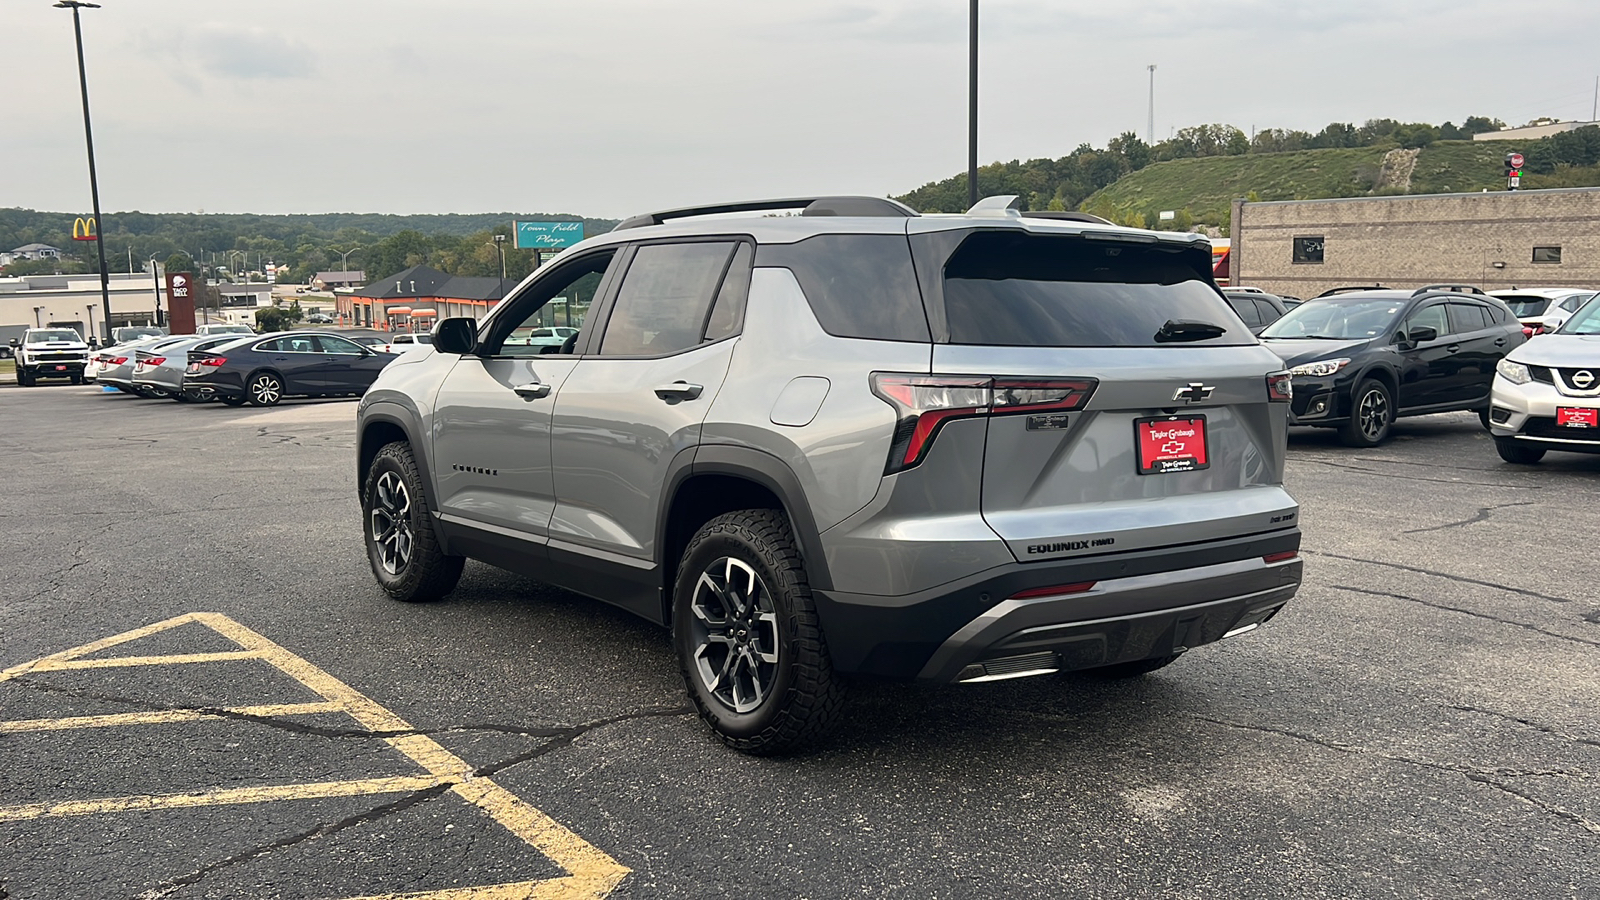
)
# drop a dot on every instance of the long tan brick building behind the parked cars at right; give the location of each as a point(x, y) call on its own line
point(1495, 241)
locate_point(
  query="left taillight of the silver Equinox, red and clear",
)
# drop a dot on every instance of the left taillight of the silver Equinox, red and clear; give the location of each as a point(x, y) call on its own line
point(926, 403)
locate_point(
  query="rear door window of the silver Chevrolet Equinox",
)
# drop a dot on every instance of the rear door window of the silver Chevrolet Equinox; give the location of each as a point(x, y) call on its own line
point(665, 299)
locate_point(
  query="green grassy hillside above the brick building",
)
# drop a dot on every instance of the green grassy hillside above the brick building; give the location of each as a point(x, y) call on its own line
point(1207, 187)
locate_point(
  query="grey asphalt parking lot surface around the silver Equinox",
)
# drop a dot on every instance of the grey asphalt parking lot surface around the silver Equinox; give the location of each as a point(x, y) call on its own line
point(204, 694)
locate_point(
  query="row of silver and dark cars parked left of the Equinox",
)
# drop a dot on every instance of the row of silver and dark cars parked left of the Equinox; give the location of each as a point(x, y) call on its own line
point(242, 368)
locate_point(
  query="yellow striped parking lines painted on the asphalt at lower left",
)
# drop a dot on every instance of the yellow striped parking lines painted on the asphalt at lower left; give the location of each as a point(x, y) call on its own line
point(591, 874)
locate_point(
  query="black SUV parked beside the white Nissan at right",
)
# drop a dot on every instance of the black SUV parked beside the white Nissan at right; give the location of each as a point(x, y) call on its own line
point(1364, 358)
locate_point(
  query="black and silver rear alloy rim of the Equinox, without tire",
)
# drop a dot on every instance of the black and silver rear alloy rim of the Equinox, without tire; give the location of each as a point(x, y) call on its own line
point(735, 635)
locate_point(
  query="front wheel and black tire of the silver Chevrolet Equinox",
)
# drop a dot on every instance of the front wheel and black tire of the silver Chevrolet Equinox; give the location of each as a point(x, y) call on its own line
point(399, 528)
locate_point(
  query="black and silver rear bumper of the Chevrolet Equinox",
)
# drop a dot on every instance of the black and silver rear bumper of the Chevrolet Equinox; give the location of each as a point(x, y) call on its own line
point(1143, 605)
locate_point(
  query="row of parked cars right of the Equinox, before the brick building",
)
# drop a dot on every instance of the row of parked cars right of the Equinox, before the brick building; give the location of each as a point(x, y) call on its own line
point(1526, 361)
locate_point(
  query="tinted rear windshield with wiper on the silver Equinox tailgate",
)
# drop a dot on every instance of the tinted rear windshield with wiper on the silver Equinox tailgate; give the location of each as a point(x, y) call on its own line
point(1062, 292)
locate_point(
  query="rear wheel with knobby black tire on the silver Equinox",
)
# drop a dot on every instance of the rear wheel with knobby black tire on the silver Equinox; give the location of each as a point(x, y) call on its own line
point(753, 656)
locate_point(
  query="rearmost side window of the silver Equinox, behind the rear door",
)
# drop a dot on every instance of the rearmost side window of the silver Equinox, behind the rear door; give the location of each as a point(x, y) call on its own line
point(860, 286)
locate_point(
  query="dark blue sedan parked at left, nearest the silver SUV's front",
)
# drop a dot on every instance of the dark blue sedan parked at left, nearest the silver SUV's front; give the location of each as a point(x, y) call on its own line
point(266, 369)
